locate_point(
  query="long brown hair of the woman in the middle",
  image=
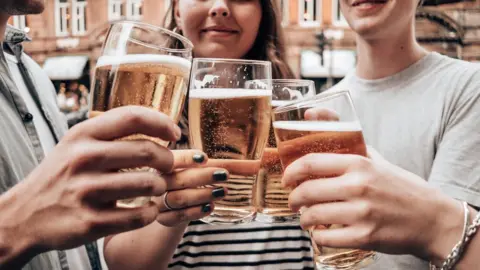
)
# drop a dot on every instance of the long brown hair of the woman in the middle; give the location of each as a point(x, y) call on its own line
point(269, 44)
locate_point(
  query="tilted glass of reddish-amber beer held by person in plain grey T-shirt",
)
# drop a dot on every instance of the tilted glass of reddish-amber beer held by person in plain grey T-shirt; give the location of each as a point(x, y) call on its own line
point(325, 124)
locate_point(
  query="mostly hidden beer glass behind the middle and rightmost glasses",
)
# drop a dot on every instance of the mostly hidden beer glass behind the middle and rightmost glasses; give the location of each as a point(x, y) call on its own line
point(270, 197)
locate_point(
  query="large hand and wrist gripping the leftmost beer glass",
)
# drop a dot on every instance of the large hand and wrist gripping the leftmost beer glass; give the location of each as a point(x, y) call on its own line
point(58, 206)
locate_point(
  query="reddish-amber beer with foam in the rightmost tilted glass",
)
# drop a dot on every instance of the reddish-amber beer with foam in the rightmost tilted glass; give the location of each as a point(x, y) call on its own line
point(299, 138)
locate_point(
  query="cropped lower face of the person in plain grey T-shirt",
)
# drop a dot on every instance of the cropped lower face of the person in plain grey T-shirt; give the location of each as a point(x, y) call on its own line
point(377, 19)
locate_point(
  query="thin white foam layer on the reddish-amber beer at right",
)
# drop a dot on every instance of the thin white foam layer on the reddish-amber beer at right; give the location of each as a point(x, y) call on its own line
point(318, 126)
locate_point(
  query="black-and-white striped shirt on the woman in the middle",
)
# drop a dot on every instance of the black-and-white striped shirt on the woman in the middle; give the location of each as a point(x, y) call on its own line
point(247, 246)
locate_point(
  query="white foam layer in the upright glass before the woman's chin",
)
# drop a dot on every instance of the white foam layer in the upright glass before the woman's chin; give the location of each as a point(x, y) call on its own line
point(221, 93)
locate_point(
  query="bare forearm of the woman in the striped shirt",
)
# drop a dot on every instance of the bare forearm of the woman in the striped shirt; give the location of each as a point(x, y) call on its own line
point(156, 242)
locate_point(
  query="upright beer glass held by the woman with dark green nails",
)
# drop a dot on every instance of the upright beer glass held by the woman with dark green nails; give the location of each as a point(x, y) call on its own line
point(229, 119)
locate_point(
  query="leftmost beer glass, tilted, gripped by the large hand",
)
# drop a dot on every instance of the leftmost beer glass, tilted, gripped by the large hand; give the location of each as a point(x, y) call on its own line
point(142, 65)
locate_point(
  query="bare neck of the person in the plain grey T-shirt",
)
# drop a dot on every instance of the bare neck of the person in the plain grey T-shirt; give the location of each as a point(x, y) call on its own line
point(381, 58)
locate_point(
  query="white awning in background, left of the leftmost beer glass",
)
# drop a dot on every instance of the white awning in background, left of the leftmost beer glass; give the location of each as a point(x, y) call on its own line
point(65, 67)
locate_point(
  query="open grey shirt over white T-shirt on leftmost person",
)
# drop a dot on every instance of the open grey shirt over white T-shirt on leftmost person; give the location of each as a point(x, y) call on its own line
point(27, 132)
